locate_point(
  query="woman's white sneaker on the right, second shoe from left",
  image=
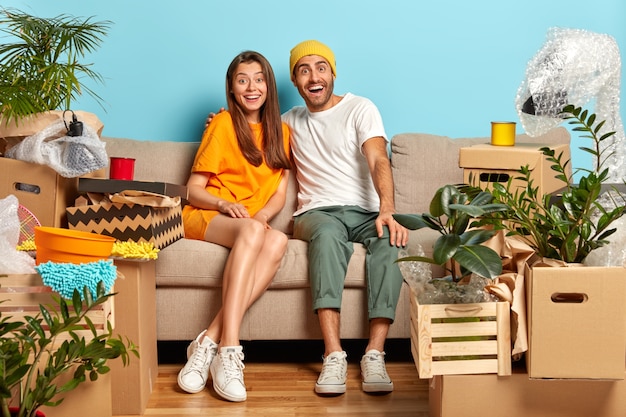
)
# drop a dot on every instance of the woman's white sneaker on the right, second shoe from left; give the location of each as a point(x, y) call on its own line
point(227, 373)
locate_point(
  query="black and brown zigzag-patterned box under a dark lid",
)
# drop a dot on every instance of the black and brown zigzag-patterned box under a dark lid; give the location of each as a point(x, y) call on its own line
point(134, 222)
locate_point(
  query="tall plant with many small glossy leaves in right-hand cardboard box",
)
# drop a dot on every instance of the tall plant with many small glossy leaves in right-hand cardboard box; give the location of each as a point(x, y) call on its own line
point(568, 225)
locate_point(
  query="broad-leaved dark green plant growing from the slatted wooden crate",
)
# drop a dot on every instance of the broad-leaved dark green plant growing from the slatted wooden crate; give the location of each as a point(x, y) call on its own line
point(460, 247)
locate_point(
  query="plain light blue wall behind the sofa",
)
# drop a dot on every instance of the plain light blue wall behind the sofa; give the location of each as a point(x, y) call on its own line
point(446, 67)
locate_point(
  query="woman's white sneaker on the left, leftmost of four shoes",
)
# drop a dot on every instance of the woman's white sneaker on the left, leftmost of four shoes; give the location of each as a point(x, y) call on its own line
point(194, 375)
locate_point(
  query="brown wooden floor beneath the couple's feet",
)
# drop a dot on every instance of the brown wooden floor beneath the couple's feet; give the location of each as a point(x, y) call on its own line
point(286, 389)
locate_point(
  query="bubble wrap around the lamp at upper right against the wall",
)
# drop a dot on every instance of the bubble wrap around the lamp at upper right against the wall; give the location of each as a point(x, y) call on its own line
point(576, 67)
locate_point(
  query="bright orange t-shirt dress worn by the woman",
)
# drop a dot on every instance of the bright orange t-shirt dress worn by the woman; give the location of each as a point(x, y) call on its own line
point(230, 176)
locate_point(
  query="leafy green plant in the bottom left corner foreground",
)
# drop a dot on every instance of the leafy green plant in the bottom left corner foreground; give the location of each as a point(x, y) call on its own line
point(37, 368)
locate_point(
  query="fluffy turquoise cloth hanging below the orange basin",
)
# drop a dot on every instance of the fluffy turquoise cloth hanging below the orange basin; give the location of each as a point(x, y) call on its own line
point(65, 277)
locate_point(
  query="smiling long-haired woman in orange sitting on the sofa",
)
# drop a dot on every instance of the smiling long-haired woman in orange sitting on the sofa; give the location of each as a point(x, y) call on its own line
point(237, 185)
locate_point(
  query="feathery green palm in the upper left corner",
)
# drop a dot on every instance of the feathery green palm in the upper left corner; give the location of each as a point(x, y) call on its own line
point(41, 65)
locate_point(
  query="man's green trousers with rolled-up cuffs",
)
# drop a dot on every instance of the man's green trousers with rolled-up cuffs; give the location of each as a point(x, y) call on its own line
point(330, 232)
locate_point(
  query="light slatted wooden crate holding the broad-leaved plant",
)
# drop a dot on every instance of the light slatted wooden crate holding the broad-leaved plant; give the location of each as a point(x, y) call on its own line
point(460, 338)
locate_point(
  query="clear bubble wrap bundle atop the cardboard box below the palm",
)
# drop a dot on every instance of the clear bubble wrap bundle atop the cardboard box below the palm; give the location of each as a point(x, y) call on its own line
point(70, 156)
